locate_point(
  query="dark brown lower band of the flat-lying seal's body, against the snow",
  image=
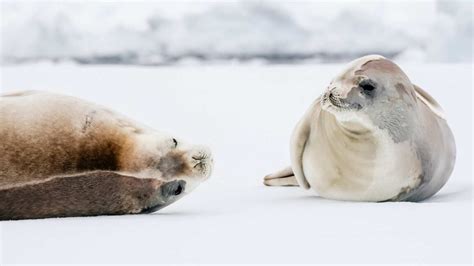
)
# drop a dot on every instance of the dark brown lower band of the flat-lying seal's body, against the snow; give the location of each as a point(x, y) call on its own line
point(96, 193)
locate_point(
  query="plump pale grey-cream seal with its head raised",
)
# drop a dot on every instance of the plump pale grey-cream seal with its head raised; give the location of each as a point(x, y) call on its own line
point(372, 136)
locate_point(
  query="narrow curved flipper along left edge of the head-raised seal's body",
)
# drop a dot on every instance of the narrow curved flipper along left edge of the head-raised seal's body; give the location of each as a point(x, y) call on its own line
point(298, 143)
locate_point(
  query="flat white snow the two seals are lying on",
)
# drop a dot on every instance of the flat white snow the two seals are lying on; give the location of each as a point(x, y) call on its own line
point(246, 115)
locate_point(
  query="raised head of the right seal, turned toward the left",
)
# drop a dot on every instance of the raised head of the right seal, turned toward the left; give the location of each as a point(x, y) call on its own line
point(373, 91)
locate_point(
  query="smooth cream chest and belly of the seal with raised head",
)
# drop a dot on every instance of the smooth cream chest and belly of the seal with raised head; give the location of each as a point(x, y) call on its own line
point(358, 165)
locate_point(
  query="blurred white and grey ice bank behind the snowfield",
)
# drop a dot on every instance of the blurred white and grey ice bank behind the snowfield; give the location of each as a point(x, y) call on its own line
point(164, 33)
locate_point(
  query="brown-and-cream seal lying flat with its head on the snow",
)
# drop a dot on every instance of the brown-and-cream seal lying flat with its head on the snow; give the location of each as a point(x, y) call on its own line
point(62, 156)
